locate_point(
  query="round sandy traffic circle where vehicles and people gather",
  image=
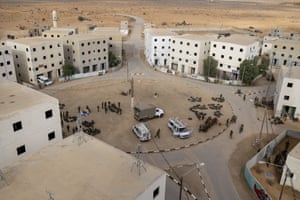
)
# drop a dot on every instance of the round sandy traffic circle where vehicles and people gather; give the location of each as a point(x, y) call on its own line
point(116, 129)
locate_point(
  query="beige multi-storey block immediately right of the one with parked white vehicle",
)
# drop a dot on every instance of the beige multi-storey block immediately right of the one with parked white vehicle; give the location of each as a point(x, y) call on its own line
point(86, 52)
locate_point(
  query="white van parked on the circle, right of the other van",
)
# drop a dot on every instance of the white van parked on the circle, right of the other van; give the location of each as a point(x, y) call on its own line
point(178, 128)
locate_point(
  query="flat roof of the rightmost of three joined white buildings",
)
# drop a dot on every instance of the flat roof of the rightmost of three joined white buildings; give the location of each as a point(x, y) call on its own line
point(238, 39)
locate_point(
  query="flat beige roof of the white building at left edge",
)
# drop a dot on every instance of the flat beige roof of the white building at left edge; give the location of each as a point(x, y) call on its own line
point(15, 97)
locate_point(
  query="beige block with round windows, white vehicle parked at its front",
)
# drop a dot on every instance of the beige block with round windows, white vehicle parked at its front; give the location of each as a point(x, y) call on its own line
point(37, 56)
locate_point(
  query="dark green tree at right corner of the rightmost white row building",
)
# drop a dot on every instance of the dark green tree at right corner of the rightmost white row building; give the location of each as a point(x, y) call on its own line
point(248, 71)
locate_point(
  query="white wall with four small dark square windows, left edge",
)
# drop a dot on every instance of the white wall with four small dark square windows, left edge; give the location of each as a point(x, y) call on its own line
point(33, 134)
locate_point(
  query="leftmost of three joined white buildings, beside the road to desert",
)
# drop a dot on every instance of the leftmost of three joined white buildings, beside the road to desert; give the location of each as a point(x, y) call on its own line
point(157, 46)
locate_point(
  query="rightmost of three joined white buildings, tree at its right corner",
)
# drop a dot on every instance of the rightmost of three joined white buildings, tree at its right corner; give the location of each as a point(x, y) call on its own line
point(230, 51)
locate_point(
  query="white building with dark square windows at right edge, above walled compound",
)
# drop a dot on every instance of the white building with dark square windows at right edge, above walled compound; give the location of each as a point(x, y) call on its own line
point(286, 96)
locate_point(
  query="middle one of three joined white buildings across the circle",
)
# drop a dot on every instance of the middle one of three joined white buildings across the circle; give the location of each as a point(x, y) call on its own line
point(188, 53)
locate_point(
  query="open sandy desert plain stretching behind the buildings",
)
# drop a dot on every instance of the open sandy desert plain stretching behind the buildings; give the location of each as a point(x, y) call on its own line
point(17, 15)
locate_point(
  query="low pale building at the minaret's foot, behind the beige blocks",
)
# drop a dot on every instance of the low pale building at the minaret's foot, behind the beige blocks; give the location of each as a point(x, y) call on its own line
point(59, 32)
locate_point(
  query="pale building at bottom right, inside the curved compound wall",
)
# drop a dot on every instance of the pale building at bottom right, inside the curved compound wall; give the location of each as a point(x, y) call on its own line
point(292, 164)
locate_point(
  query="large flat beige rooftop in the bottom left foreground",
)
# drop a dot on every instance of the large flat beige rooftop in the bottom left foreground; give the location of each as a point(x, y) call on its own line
point(90, 170)
